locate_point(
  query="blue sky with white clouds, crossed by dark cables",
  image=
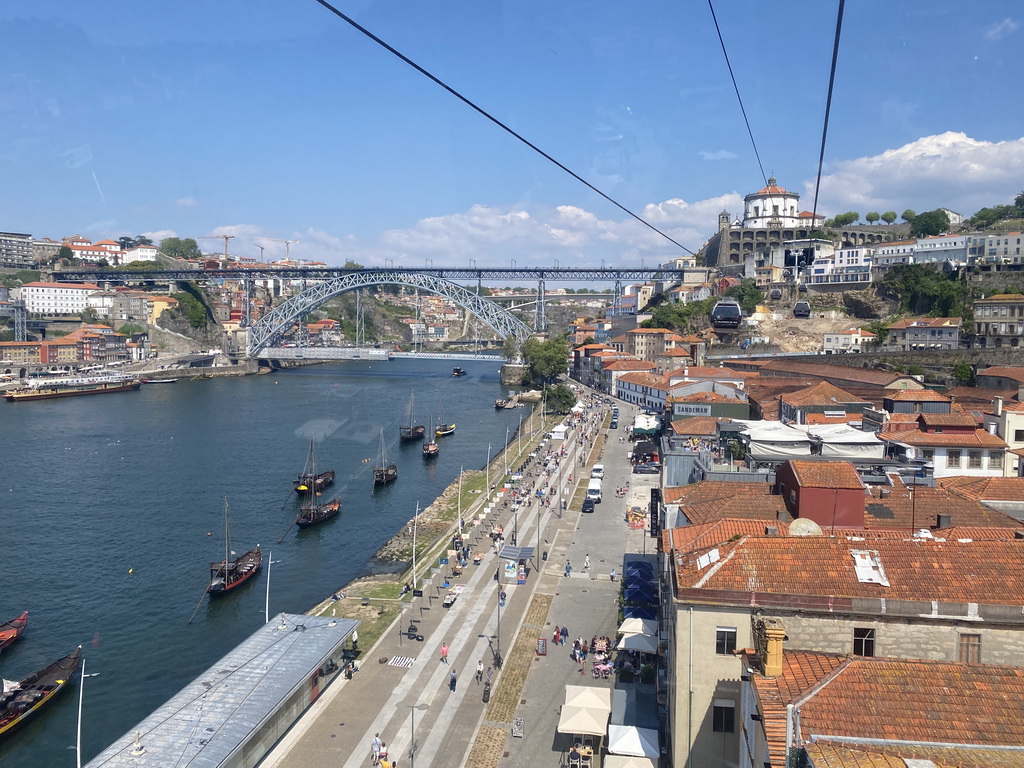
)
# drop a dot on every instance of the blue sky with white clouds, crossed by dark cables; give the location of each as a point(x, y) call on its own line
point(277, 120)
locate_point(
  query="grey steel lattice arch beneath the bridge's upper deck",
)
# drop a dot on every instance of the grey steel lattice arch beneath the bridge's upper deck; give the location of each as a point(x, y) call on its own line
point(272, 327)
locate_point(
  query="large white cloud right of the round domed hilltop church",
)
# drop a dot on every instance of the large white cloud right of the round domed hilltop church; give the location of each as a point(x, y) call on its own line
point(950, 170)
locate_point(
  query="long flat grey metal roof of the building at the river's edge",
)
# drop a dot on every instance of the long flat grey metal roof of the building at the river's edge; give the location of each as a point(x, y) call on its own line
point(212, 718)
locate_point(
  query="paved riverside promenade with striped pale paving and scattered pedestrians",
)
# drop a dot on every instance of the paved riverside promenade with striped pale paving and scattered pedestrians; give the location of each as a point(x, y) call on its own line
point(403, 689)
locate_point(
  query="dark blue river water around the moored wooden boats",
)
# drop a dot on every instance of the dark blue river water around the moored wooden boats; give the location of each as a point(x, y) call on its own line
point(112, 509)
